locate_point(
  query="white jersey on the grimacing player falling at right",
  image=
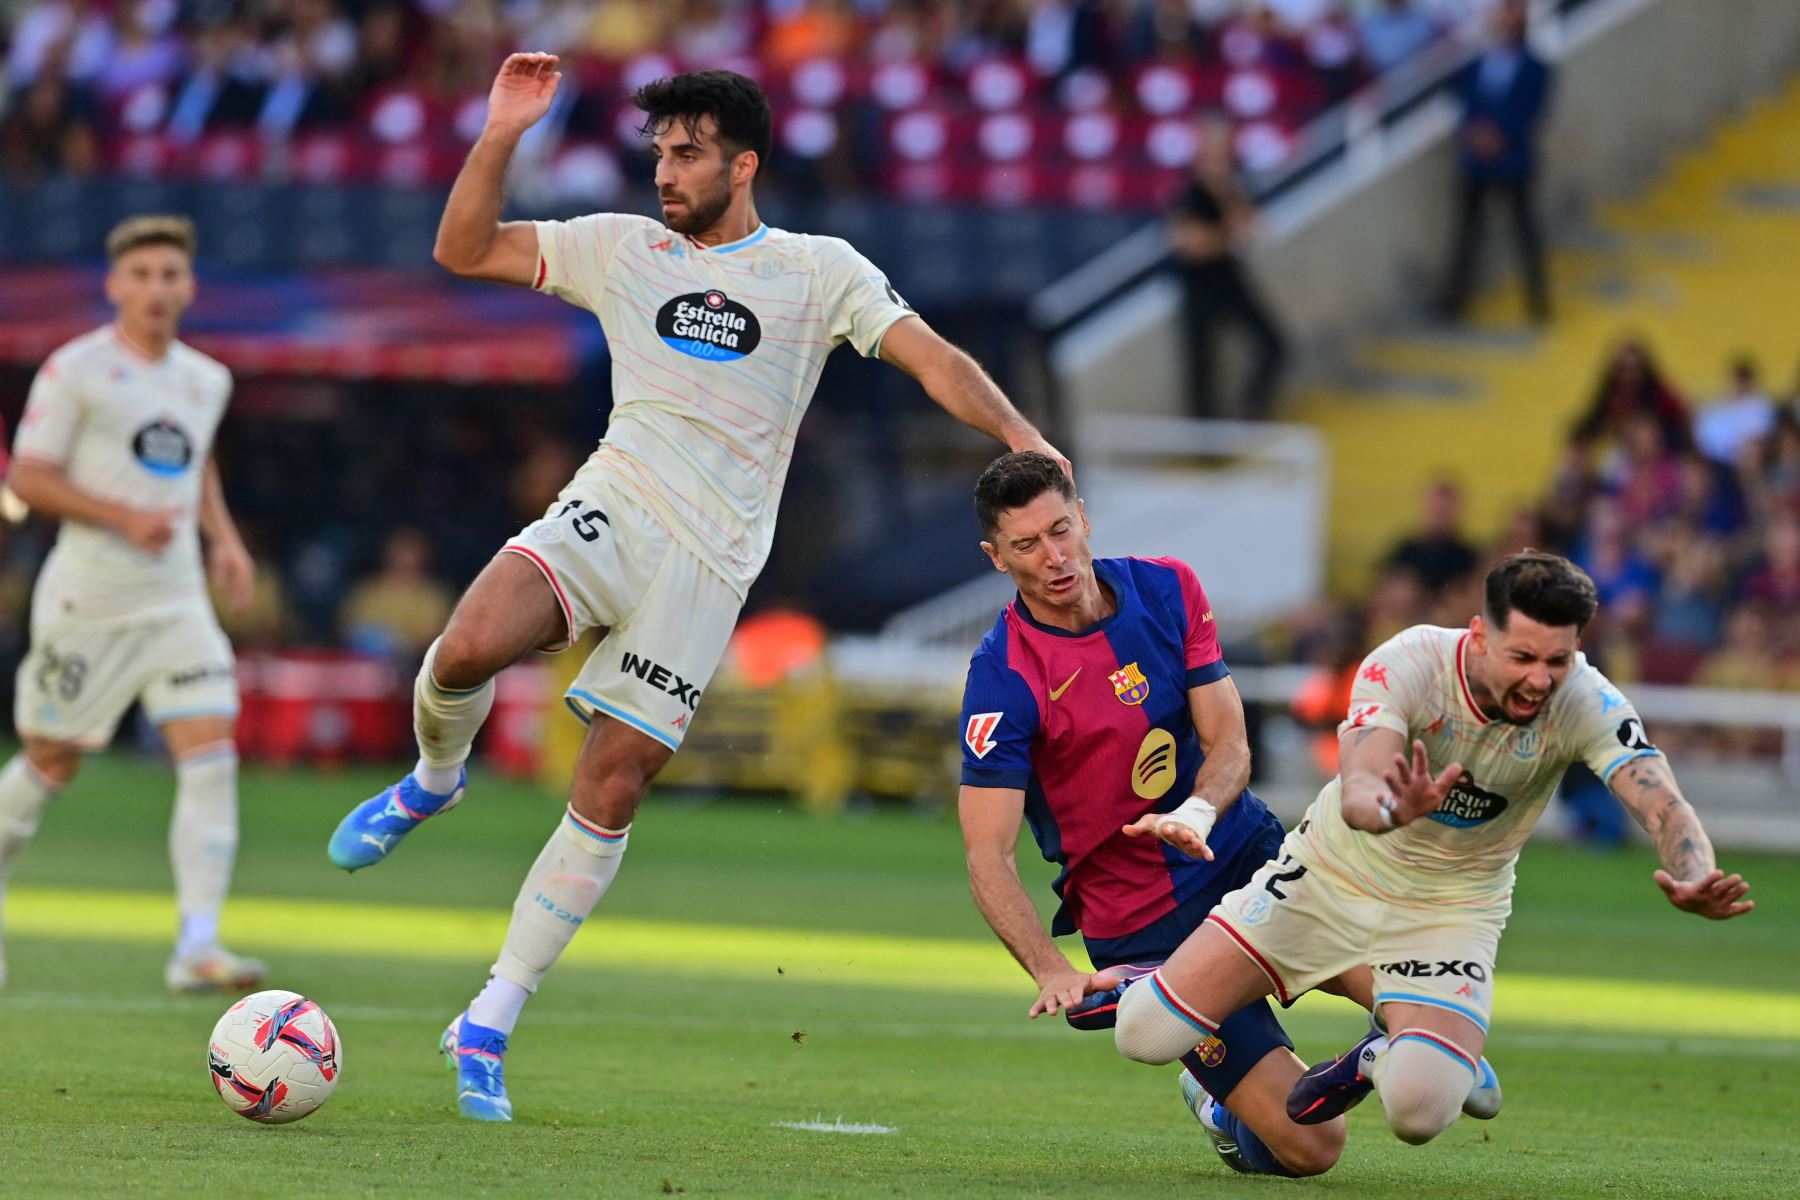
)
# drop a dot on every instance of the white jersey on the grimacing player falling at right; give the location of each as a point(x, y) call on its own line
point(1466, 852)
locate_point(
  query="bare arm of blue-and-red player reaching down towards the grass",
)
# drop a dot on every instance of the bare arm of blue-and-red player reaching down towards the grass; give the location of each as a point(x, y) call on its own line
point(991, 837)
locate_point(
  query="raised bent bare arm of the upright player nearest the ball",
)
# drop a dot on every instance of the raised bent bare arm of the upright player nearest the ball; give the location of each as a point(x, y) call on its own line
point(471, 238)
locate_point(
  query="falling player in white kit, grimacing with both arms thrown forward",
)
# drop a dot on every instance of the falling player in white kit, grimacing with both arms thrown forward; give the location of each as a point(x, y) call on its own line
point(1407, 861)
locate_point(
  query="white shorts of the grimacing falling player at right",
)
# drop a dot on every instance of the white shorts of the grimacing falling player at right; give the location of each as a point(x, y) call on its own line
point(1304, 924)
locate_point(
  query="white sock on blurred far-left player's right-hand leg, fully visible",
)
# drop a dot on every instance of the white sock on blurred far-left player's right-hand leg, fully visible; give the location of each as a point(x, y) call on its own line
point(204, 843)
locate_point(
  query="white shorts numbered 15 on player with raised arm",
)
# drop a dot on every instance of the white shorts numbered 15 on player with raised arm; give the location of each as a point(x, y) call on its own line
point(667, 616)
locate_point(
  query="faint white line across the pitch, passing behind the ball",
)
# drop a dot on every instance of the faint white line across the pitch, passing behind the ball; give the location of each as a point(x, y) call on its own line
point(1524, 1039)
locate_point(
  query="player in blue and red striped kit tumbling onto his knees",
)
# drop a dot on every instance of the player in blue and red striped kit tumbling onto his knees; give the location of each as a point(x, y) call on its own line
point(1095, 710)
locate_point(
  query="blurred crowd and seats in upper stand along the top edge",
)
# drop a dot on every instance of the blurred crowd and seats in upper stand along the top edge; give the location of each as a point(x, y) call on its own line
point(145, 85)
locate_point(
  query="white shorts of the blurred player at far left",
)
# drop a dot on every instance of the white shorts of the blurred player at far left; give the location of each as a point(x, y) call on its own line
point(80, 679)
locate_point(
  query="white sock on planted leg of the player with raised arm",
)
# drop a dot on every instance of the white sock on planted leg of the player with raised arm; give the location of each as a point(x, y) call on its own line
point(561, 890)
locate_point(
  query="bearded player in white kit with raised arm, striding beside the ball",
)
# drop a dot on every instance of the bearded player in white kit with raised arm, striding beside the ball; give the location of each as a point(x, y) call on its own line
point(719, 328)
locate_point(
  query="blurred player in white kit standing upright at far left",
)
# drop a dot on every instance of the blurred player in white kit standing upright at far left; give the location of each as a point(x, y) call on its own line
point(118, 443)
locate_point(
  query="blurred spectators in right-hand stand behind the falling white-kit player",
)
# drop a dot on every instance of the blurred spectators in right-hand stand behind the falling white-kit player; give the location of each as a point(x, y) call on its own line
point(1687, 515)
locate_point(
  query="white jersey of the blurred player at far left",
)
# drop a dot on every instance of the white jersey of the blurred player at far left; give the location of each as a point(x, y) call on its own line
point(136, 433)
